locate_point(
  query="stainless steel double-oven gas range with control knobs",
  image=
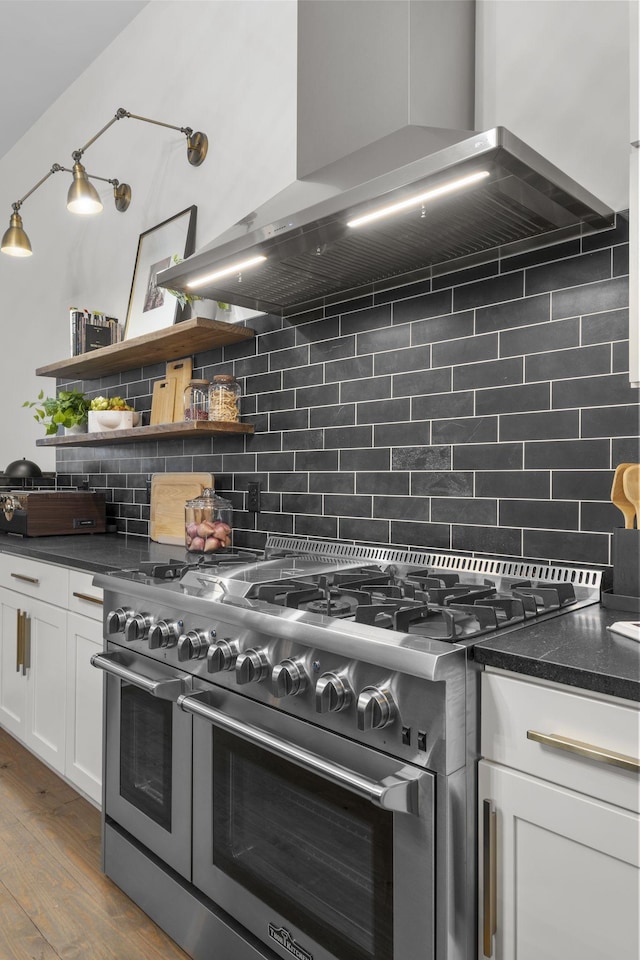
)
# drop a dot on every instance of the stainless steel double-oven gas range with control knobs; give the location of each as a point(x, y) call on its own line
point(291, 744)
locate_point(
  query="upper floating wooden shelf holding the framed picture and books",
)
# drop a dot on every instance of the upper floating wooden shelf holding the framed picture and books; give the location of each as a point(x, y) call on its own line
point(172, 343)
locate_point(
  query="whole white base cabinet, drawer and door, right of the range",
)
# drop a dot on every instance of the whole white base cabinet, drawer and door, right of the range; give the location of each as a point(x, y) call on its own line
point(559, 831)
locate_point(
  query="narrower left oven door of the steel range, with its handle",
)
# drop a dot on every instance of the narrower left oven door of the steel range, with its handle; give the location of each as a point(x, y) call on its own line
point(147, 756)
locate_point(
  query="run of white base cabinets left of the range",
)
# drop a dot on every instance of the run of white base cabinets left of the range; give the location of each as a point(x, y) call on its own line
point(50, 696)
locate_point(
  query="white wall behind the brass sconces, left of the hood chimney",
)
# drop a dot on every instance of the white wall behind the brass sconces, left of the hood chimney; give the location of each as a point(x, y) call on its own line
point(226, 67)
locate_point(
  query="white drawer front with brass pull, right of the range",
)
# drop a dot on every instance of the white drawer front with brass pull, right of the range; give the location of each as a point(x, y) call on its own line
point(513, 709)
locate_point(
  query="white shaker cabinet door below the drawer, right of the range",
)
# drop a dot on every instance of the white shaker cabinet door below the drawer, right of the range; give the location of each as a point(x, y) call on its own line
point(567, 872)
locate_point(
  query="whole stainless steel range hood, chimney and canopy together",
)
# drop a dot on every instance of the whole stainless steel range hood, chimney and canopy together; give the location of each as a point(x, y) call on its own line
point(423, 199)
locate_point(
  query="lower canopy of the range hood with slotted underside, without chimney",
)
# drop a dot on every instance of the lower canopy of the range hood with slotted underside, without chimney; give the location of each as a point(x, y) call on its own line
point(313, 256)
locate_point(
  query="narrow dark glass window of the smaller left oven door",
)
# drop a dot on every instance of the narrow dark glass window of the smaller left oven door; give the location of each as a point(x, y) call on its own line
point(145, 753)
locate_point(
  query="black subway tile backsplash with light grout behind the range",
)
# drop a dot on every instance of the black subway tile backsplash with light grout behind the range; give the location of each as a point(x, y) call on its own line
point(480, 410)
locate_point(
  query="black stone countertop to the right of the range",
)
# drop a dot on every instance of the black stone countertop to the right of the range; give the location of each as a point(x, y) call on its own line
point(574, 648)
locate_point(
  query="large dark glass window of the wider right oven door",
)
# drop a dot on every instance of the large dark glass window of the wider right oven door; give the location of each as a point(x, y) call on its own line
point(312, 851)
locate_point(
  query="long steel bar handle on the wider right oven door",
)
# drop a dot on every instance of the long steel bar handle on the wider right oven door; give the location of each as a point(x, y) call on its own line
point(398, 792)
